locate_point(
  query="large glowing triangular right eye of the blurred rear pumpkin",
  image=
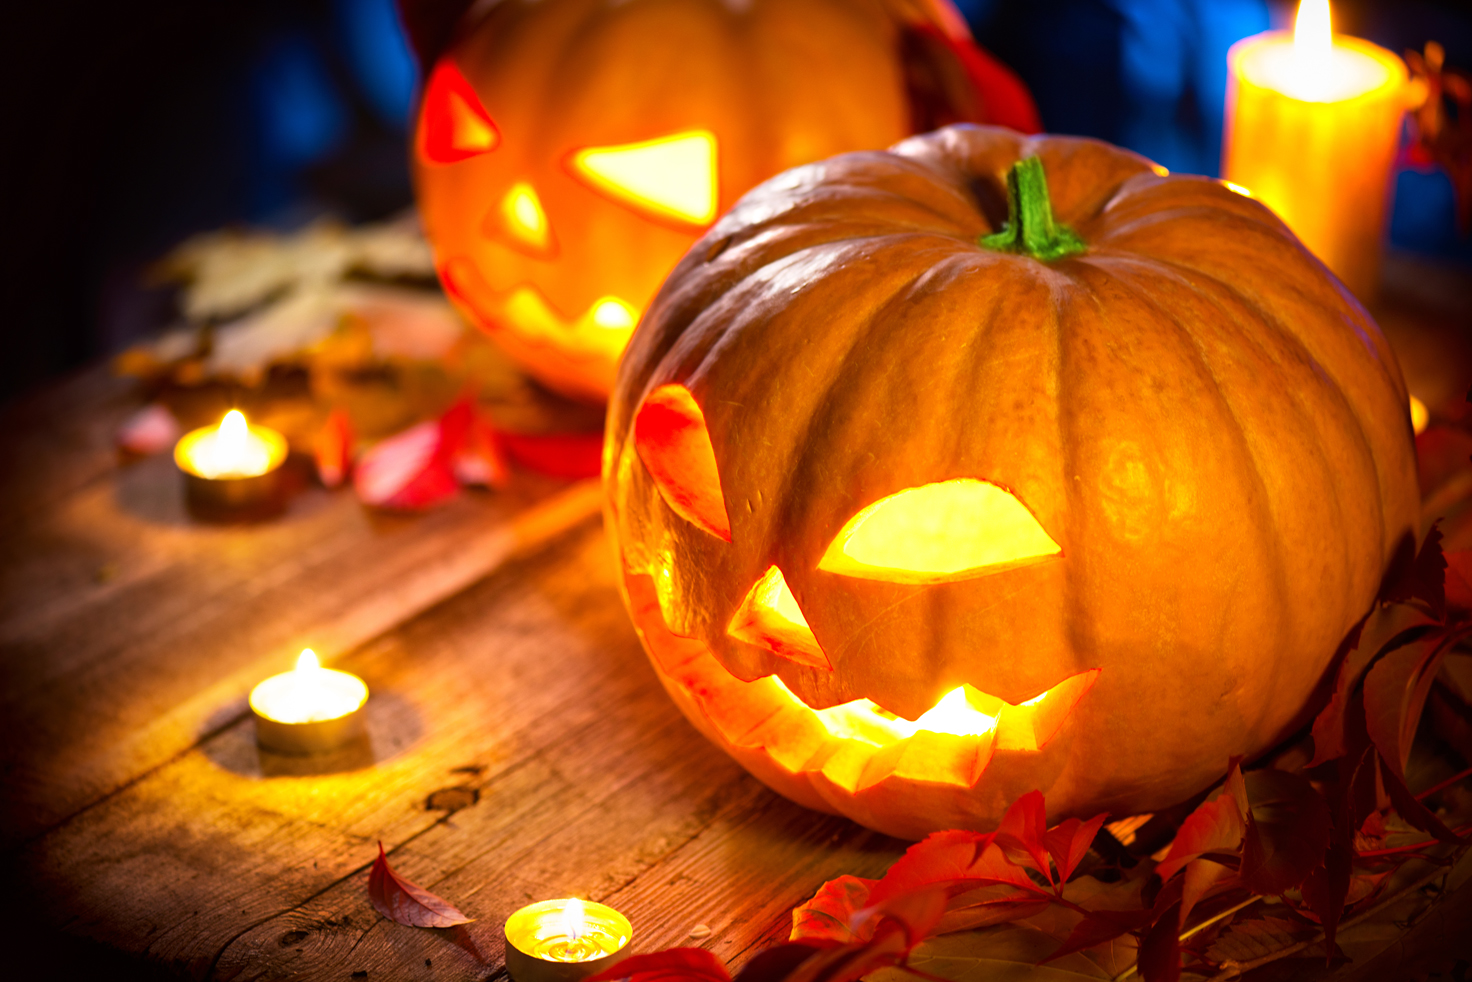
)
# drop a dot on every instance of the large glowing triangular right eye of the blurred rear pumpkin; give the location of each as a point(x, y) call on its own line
point(672, 177)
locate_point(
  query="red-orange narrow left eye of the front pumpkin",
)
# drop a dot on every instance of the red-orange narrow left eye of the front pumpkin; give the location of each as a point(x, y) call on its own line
point(672, 441)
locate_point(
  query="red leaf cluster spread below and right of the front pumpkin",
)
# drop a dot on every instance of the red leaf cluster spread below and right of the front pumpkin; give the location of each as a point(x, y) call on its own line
point(1315, 836)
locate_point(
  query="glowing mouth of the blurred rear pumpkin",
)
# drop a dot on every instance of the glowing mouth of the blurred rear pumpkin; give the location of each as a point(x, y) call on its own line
point(603, 329)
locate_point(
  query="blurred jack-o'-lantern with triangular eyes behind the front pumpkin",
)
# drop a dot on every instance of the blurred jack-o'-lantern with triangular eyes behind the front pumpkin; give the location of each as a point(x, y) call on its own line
point(569, 152)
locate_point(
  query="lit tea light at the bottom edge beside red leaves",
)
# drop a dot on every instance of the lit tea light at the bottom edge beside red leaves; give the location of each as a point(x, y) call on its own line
point(565, 940)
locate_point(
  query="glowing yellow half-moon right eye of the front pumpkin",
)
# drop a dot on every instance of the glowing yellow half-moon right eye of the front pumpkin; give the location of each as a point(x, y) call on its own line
point(949, 531)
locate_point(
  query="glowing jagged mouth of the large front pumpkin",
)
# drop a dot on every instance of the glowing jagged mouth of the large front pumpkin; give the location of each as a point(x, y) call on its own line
point(856, 744)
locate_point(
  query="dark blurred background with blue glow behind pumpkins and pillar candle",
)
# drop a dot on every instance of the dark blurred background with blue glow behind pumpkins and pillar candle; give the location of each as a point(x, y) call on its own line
point(133, 126)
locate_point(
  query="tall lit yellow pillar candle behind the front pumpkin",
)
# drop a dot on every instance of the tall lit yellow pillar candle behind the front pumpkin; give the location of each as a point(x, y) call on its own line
point(1314, 124)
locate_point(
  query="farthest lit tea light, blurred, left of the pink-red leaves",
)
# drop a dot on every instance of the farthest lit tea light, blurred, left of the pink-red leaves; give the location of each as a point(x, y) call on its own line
point(232, 470)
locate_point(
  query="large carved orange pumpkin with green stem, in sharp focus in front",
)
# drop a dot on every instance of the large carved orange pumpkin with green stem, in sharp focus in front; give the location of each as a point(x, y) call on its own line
point(918, 516)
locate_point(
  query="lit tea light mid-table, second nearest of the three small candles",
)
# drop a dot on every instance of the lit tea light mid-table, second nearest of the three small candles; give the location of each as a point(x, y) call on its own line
point(308, 710)
